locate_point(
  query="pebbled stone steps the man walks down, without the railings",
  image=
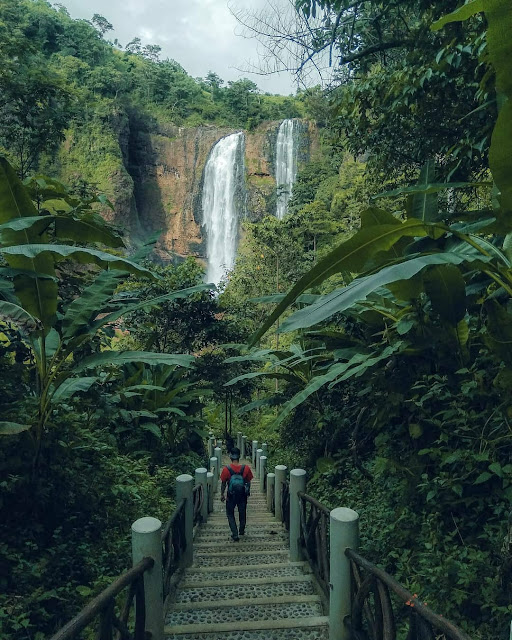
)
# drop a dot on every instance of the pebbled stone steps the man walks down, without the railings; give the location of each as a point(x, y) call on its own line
point(247, 590)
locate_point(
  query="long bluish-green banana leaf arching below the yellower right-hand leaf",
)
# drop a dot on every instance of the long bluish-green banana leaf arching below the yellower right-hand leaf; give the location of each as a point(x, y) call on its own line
point(359, 289)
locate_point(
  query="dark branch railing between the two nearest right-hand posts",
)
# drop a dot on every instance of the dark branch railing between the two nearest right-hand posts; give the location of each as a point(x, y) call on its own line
point(314, 537)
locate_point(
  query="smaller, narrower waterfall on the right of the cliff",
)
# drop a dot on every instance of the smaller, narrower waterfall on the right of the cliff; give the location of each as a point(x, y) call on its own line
point(286, 164)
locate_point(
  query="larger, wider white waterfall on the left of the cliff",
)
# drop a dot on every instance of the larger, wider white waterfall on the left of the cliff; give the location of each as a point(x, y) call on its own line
point(223, 203)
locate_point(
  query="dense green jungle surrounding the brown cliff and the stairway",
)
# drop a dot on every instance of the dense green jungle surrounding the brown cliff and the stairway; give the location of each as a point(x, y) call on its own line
point(366, 336)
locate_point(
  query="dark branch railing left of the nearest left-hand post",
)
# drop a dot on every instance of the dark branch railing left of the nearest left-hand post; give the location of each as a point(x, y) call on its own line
point(112, 625)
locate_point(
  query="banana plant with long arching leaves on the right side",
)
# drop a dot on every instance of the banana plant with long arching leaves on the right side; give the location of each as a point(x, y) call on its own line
point(440, 255)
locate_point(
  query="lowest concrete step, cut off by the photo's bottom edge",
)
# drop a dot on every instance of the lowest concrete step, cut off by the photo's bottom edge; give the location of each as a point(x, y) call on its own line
point(286, 629)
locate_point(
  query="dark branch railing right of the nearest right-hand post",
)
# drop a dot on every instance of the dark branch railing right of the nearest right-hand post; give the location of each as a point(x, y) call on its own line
point(373, 616)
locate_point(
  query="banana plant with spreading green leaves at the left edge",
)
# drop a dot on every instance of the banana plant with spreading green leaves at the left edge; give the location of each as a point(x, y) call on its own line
point(28, 245)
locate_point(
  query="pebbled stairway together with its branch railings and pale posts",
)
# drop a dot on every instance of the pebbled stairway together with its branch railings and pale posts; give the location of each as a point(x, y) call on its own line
point(297, 562)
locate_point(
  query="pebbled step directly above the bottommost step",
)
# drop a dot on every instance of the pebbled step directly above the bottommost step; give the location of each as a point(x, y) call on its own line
point(243, 610)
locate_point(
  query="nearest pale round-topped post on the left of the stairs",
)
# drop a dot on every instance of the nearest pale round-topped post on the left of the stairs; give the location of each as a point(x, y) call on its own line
point(147, 543)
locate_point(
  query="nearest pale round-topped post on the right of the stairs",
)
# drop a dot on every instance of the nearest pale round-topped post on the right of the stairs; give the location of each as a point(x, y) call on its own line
point(344, 534)
